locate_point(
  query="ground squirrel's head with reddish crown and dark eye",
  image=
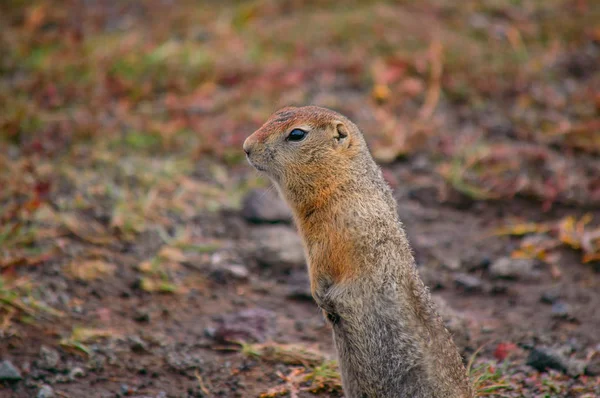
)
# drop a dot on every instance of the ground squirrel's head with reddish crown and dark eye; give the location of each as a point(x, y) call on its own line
point(303, 148)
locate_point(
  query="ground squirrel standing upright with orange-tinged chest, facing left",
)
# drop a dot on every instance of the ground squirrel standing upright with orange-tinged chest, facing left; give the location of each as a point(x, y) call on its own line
point(390, 340)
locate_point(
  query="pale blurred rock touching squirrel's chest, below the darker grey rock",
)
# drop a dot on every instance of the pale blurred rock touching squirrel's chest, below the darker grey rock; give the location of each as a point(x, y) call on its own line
point(279, 247)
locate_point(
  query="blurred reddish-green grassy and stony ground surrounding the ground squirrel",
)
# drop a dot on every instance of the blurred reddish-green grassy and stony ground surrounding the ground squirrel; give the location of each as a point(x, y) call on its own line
point(141, 256)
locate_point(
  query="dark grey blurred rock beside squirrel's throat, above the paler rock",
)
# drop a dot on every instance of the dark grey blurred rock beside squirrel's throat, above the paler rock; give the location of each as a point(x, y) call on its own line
point(265, 206)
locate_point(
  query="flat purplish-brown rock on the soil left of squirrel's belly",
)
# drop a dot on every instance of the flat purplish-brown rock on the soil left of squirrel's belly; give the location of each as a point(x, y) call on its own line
point(256, 324)
